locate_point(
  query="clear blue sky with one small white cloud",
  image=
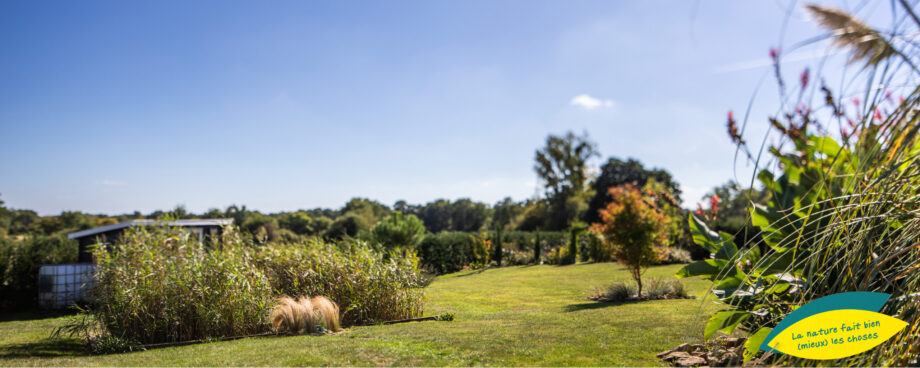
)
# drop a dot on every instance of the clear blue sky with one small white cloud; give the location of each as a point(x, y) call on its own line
point(119, 106)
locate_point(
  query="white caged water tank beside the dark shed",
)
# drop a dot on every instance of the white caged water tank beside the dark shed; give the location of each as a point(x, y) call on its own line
point(60, 286)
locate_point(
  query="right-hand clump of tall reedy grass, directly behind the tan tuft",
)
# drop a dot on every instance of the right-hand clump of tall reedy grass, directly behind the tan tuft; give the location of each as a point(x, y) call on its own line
point(368, 285)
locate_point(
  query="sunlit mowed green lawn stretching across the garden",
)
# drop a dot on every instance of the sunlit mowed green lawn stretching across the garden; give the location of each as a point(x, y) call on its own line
point(513, 316)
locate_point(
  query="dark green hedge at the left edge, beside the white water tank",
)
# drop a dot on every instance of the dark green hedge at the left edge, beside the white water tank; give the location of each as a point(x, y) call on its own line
point(20, 261)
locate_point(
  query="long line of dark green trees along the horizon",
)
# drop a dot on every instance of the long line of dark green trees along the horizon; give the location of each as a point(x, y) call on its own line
point(573, 196)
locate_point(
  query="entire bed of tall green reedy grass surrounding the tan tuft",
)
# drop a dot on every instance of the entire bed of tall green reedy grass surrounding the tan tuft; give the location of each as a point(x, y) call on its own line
point(159, 285)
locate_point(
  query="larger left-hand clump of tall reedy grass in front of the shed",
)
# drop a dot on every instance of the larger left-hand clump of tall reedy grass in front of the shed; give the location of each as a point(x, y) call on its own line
point(160, 285)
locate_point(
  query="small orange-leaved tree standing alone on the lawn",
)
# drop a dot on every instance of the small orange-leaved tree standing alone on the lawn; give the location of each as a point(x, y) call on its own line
point(632, 224)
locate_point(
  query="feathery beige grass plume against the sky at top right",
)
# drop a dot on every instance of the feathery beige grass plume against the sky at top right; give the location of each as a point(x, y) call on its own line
point(848, 31)
